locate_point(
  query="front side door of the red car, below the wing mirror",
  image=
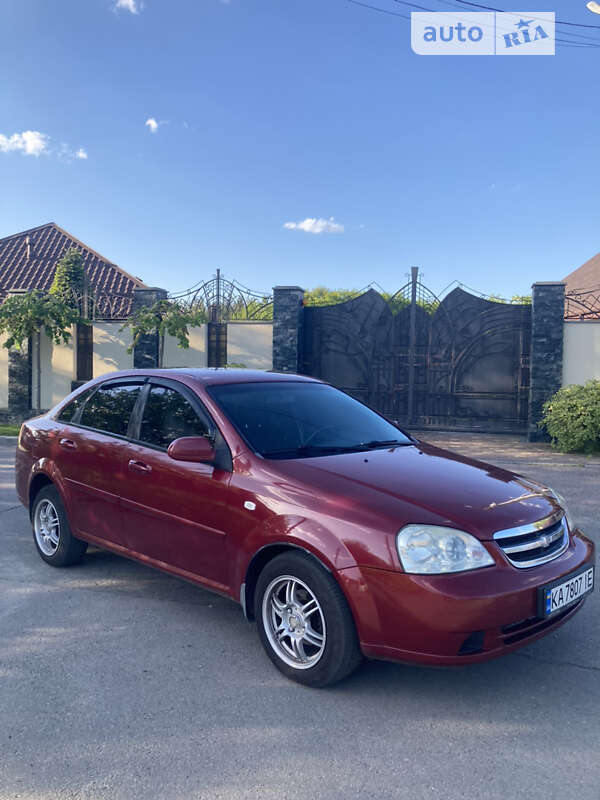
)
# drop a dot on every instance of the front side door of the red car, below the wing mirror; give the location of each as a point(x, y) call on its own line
point(175, 512)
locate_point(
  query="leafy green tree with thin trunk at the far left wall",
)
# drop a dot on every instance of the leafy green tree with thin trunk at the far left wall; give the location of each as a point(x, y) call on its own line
point(23, 316)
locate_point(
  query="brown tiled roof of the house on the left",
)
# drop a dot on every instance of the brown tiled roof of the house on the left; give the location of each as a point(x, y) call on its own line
point(28, 261)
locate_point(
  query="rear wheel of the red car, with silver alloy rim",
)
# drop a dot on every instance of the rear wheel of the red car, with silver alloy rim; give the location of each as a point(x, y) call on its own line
point(51, 530)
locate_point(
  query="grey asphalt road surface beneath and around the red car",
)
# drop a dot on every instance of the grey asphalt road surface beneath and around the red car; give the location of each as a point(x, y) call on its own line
point(119, 682)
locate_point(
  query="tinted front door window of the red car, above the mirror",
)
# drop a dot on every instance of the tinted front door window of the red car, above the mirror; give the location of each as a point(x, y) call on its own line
point(168, 416)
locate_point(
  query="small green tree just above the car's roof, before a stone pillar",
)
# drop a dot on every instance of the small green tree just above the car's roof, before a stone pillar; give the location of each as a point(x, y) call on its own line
point(164, 317)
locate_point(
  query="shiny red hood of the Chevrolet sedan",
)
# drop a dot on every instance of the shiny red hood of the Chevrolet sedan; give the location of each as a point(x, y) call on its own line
point(425, 484)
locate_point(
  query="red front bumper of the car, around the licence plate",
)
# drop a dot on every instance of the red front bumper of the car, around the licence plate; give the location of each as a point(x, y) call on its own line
point(457, 618)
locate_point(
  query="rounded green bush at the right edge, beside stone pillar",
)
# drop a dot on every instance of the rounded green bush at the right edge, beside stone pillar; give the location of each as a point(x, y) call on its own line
point(572, 418)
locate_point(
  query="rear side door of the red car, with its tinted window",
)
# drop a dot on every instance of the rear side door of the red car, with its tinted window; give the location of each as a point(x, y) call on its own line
point(89, 456)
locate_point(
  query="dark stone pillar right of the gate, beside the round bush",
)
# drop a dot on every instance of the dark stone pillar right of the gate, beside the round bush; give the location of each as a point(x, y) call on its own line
point(547, 320)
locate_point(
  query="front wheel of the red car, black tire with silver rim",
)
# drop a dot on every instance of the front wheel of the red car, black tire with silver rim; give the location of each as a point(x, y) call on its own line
point(338, 653)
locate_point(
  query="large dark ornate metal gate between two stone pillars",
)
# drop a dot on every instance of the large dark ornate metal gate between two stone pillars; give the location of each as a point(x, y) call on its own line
point(462, 362)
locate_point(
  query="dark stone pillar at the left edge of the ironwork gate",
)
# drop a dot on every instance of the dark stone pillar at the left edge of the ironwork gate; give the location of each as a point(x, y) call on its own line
point(288, 314)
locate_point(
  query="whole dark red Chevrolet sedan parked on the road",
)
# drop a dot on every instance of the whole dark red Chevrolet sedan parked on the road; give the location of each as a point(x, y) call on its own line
point(339, 534)
